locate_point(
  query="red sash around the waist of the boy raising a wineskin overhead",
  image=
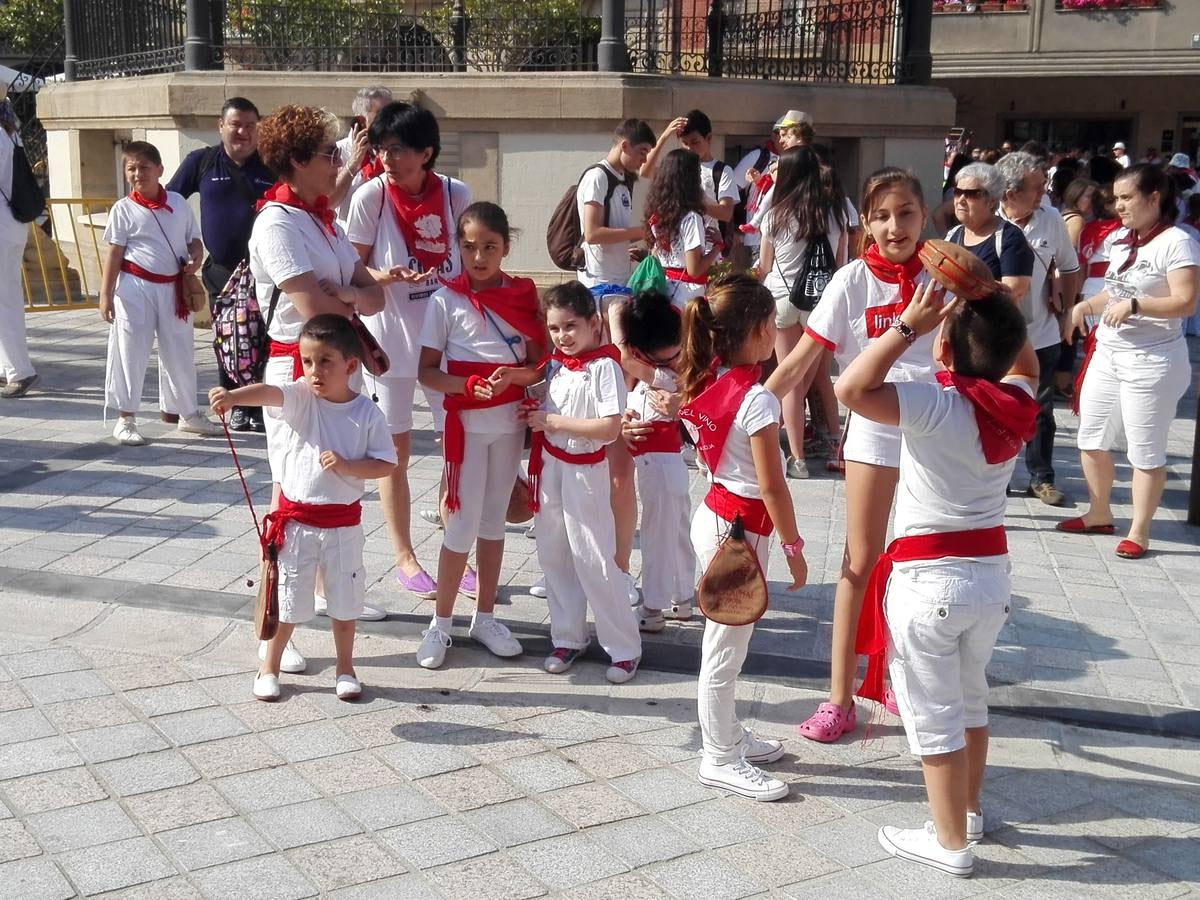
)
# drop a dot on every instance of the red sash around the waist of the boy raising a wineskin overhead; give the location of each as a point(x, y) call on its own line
point(872, 639)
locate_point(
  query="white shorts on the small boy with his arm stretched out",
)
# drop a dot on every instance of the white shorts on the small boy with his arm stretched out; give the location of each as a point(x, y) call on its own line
point(338, 554)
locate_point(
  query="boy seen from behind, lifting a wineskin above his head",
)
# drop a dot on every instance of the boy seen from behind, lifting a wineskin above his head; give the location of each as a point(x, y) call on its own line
point(941, 592)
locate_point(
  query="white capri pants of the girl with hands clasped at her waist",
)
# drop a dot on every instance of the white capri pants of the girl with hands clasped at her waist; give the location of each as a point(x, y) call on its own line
point(490, 469)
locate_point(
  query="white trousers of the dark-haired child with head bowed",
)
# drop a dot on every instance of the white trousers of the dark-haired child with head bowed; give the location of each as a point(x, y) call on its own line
point(669, 563)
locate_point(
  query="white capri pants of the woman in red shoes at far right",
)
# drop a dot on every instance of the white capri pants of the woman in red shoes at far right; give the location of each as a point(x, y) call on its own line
point(1135, 393)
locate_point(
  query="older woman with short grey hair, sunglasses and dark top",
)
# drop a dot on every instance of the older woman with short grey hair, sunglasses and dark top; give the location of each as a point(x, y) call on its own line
point(1001, 245)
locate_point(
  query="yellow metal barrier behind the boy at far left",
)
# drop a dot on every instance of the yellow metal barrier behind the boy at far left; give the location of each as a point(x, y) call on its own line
point(62, 266)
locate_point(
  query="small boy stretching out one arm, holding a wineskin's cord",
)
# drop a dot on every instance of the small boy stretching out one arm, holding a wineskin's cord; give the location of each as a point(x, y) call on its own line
point(332, 440)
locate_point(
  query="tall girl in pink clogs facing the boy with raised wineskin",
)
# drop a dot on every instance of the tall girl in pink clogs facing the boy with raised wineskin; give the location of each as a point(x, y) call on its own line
point(865, 299)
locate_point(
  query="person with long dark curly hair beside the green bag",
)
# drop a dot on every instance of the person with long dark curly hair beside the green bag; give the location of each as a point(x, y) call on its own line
point(675, 218)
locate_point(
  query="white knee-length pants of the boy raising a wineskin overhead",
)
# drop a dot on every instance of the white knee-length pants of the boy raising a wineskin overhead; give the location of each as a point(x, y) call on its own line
point(944, 619)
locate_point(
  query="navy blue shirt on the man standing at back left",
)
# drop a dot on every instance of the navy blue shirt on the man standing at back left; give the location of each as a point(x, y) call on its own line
point(227, 208)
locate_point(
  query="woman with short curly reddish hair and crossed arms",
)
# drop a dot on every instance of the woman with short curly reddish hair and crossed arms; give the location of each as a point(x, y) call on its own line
point(303, 263)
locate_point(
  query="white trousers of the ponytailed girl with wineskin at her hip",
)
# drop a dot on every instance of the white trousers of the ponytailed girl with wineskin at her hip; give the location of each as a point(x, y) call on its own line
point(723, 651)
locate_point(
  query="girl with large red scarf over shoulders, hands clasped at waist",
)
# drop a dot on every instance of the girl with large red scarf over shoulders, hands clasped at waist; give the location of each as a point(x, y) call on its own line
point(487, 327)
